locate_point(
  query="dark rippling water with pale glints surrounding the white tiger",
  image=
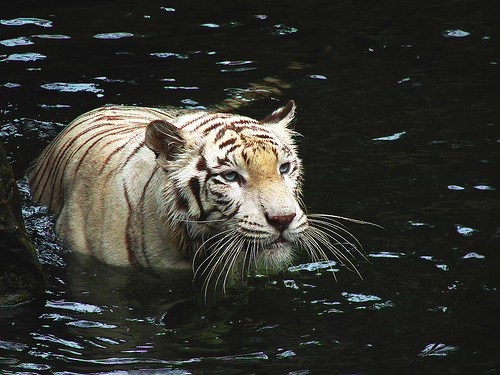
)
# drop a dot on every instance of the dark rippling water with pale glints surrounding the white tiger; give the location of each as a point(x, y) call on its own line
point(399, 108)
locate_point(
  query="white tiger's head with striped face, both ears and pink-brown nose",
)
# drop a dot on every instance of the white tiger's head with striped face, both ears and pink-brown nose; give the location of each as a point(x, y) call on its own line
point(232, 191)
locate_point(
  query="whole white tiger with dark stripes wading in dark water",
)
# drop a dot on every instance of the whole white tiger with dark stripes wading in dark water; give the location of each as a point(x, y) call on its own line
point(213, 192)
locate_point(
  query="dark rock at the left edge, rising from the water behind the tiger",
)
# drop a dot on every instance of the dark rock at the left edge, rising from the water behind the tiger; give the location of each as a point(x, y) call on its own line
point(21, 275)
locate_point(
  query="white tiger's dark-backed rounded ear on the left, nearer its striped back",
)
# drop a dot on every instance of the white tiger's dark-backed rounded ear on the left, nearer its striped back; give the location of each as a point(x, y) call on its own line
point(165, 140)
